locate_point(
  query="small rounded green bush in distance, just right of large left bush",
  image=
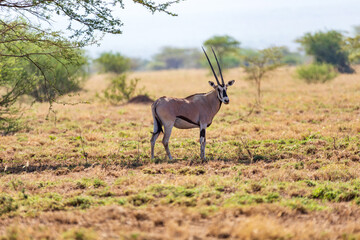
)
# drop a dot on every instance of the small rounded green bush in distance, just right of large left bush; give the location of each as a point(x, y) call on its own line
point(113, 62)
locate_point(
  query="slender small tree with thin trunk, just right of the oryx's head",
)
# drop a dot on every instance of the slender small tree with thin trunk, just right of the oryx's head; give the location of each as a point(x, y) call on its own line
point(258, 65)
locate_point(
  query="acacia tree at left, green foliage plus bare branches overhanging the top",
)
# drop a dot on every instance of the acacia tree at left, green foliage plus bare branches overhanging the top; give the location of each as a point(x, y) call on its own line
point(24, 43)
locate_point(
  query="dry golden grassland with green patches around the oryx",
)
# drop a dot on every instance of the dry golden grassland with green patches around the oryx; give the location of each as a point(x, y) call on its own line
point(86, 173)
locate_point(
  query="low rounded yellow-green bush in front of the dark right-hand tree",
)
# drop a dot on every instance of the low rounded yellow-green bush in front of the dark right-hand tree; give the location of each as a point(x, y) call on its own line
point(316, 73)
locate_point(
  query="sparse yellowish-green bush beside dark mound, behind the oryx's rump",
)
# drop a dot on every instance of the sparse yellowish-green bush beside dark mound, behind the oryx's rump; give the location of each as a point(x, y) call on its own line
point(119, 89)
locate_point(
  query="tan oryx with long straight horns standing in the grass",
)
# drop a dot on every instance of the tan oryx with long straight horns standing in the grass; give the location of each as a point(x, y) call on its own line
point(195, 111)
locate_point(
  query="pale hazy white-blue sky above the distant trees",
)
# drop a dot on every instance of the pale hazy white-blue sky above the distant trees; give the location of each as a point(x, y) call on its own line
point(256, 24)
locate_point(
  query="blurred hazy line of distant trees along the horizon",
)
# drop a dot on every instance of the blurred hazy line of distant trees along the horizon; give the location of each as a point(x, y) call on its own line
point(330, 47)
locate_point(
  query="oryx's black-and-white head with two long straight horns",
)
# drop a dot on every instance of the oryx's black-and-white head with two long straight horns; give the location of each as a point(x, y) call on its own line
point(221, 87)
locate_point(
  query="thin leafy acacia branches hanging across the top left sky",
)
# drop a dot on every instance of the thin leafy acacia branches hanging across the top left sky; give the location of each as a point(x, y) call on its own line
point(90, 16)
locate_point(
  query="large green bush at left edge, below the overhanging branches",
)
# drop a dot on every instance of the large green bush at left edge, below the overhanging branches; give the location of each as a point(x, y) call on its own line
point(54, 68)
